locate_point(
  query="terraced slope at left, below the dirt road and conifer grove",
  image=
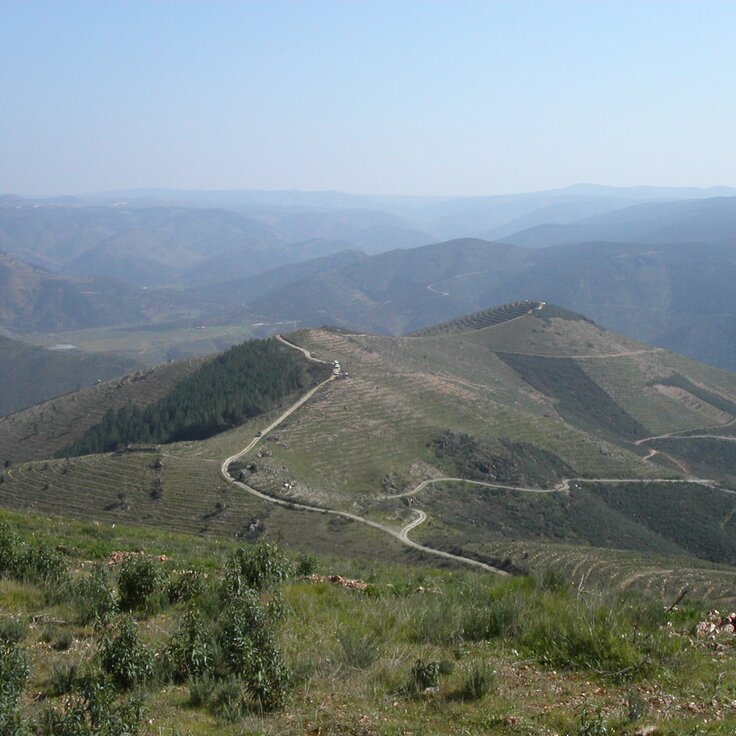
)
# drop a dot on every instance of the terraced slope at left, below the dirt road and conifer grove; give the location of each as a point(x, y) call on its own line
point(184, 493)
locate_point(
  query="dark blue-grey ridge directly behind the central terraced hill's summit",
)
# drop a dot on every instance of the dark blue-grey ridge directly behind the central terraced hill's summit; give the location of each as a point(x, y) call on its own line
point(675, 296)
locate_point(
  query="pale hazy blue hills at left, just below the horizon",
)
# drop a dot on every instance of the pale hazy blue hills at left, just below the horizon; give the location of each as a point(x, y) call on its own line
point(146, 245)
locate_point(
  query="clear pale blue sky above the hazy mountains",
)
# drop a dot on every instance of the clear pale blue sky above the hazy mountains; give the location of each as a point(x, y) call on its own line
point(412, 97)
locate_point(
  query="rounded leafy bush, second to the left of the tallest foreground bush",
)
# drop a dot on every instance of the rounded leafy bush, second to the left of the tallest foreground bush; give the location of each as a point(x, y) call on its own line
point(124, 657)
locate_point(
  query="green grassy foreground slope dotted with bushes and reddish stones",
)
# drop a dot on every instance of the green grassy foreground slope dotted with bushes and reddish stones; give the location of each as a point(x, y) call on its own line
point(218, 639)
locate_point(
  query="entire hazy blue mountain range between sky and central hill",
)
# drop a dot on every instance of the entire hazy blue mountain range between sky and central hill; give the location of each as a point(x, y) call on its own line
point(654, 263)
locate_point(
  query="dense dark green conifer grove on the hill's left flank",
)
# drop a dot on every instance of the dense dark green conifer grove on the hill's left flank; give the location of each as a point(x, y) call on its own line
point(244, 381)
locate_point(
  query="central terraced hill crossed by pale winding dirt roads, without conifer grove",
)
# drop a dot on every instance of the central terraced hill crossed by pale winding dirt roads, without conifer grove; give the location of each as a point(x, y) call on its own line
point(559, 424)
